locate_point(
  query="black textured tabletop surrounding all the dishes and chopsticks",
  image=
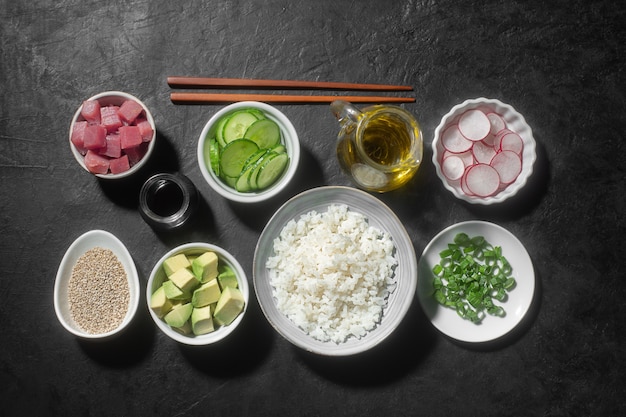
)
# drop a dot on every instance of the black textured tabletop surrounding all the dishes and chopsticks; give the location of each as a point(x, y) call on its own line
point(560, 63)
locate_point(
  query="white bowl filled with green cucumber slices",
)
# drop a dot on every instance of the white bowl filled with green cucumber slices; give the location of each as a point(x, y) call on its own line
point(248, 152)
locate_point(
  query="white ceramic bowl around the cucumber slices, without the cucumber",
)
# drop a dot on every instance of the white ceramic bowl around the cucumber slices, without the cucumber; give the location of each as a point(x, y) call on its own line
point(289, 139)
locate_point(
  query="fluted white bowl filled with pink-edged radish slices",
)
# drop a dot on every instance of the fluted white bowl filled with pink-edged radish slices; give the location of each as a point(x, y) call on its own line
point(483, 151)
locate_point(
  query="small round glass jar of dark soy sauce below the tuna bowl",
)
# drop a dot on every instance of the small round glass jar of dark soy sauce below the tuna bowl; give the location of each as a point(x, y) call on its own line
point(167, 201)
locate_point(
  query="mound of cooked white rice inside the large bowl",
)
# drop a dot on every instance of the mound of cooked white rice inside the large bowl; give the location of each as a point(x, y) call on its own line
point(332, 273)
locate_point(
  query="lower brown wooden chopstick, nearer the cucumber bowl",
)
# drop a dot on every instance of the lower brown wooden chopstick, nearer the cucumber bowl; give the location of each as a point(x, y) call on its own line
point(200, 98)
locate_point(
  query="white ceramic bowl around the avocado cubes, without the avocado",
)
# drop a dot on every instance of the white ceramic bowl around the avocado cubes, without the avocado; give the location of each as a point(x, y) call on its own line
point(157, 277)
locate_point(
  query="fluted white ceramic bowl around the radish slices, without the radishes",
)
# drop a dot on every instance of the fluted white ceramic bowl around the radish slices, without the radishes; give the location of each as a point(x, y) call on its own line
point(514, 121)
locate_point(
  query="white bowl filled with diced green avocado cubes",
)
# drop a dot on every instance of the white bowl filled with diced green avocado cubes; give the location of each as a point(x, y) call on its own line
point(197, 293)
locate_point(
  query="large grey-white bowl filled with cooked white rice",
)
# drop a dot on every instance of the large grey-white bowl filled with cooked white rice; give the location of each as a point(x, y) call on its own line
point(335, 271)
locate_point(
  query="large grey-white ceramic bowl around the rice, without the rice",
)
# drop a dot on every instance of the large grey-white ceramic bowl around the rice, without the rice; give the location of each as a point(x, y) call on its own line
point(379, 216)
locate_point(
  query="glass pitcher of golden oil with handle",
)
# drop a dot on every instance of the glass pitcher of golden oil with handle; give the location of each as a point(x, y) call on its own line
point(379, 147)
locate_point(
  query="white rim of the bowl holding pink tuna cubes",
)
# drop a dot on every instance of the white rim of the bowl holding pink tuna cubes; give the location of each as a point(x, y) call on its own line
point(81, 159)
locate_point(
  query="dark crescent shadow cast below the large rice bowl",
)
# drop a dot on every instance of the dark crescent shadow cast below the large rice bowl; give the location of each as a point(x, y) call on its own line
point(396, 357)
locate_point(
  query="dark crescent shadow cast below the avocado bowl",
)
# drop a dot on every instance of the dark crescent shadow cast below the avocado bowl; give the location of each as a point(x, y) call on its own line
point(240, 352)
